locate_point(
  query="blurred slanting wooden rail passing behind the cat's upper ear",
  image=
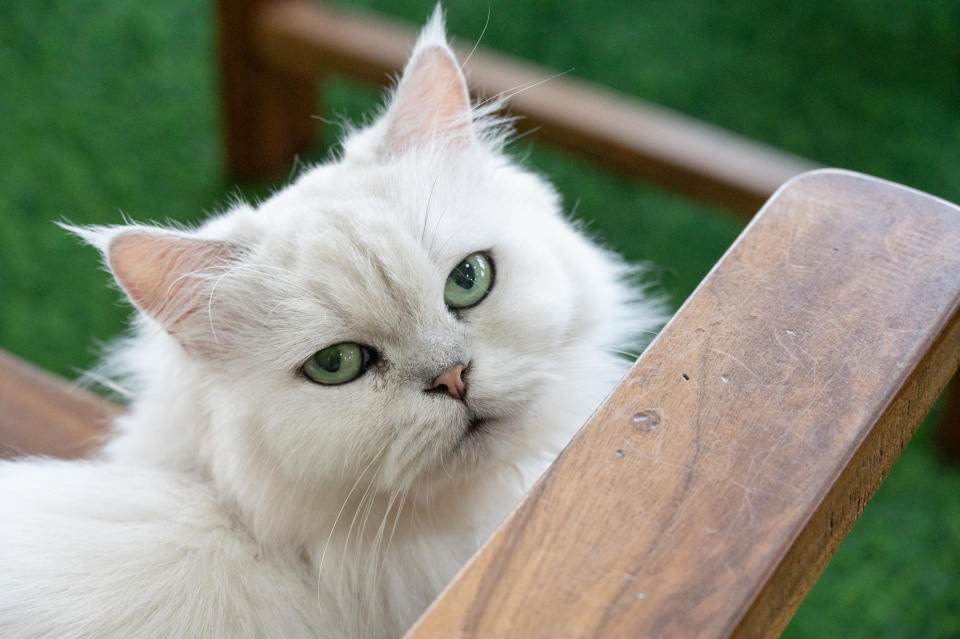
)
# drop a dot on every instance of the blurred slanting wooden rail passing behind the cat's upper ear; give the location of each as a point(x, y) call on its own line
point(626, 134)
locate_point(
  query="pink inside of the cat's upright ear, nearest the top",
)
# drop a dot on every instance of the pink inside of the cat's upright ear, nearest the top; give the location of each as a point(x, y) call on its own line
point(432, 103)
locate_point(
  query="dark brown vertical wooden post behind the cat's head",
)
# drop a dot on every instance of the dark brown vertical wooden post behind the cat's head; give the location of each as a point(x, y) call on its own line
point(266, 110)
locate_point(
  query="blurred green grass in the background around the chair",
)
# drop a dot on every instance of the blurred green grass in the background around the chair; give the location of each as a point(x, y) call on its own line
point(110, 107)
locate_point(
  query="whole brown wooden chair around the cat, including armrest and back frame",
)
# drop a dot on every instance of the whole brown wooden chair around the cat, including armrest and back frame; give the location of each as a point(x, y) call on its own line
point(707, 494)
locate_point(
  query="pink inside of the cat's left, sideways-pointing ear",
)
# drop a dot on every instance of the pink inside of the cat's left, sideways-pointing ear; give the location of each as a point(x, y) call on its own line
point(156, 271)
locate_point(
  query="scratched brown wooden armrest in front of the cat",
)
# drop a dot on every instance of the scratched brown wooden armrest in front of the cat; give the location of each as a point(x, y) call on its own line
point(705, 496)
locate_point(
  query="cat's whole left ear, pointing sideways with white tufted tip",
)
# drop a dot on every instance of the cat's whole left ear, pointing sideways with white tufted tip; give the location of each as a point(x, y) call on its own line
point(168, 275)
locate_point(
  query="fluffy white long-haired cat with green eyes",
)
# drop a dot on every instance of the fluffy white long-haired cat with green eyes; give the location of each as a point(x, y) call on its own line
point(338, 394)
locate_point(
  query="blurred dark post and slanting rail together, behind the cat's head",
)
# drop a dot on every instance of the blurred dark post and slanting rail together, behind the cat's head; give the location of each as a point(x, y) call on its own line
point(306, 40)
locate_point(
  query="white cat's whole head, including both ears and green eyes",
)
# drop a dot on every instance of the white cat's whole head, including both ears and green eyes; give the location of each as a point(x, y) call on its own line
point(403, 315)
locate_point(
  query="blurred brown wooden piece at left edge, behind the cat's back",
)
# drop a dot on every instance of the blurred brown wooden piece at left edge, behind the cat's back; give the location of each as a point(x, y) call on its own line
point(41, 414)
